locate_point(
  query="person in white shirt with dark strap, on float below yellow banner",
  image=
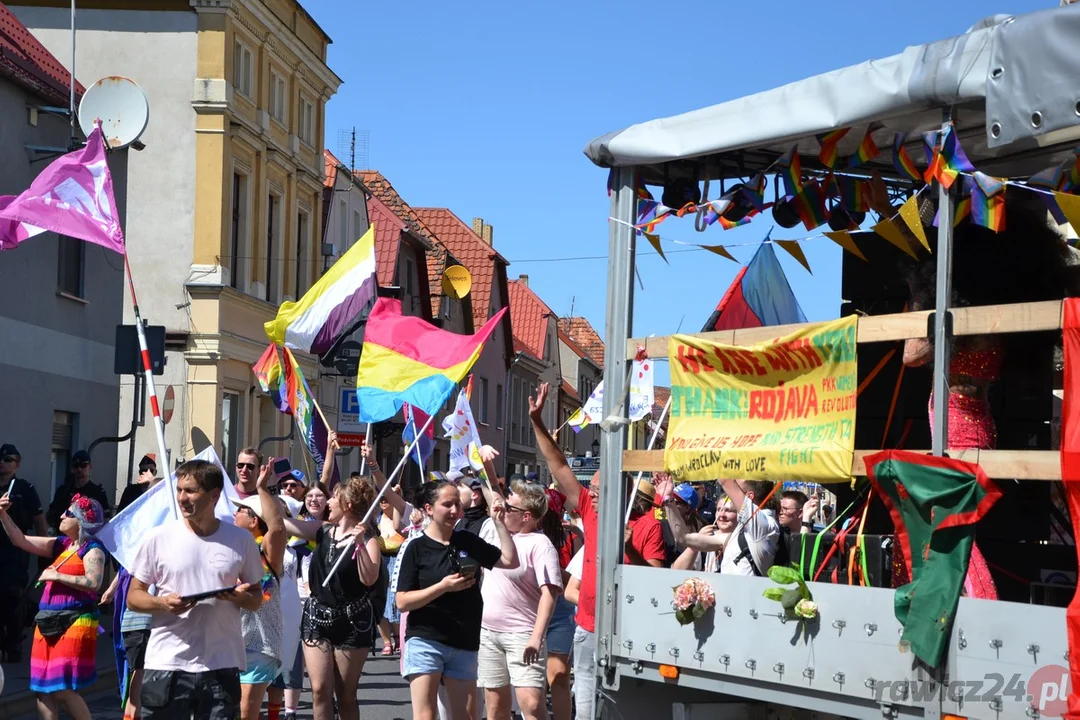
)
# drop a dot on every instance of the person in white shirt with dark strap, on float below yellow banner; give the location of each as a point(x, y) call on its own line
point(753, 546)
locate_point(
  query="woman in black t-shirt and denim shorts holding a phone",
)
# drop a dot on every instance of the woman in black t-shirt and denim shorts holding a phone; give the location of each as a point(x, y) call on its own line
point(437, 587)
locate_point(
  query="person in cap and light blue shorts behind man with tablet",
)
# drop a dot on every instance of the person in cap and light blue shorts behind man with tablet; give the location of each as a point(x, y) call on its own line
point(264, 629)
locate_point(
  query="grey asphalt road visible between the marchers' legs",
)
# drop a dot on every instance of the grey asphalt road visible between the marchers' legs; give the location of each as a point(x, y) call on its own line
point(384, 696)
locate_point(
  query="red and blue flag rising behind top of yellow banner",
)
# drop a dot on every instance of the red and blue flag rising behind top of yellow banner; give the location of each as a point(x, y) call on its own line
point(759, 297)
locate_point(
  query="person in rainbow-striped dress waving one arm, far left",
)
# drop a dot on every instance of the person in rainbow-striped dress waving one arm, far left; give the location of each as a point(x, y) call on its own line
point(63, 660)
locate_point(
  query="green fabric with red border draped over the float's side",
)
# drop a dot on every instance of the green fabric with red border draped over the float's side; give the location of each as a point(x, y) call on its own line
point(935, 504)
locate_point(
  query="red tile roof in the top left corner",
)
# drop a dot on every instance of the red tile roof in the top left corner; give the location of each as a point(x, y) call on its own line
point(26, 62)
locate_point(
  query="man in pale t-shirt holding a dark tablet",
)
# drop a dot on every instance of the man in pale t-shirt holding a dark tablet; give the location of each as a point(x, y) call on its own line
point(196, 650)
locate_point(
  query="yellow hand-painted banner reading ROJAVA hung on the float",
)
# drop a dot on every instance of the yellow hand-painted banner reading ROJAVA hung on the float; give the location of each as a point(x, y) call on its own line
point(784, 411)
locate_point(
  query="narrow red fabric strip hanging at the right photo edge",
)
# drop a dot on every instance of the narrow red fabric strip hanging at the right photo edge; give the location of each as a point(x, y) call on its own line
point(1071, 478)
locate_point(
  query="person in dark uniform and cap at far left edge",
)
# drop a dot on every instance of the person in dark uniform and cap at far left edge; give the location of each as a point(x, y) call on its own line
point(25, 512)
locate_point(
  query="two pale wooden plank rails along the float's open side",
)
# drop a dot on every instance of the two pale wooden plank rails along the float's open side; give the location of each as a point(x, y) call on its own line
point(988, 320)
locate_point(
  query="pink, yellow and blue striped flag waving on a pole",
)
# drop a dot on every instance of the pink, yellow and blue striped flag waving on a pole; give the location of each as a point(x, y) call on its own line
point(407, 360)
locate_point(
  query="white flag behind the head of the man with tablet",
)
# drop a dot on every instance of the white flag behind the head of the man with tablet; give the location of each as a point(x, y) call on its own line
point(124, 535)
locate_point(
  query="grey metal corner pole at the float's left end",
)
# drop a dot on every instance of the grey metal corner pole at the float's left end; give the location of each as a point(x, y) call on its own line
point(618, 328)
